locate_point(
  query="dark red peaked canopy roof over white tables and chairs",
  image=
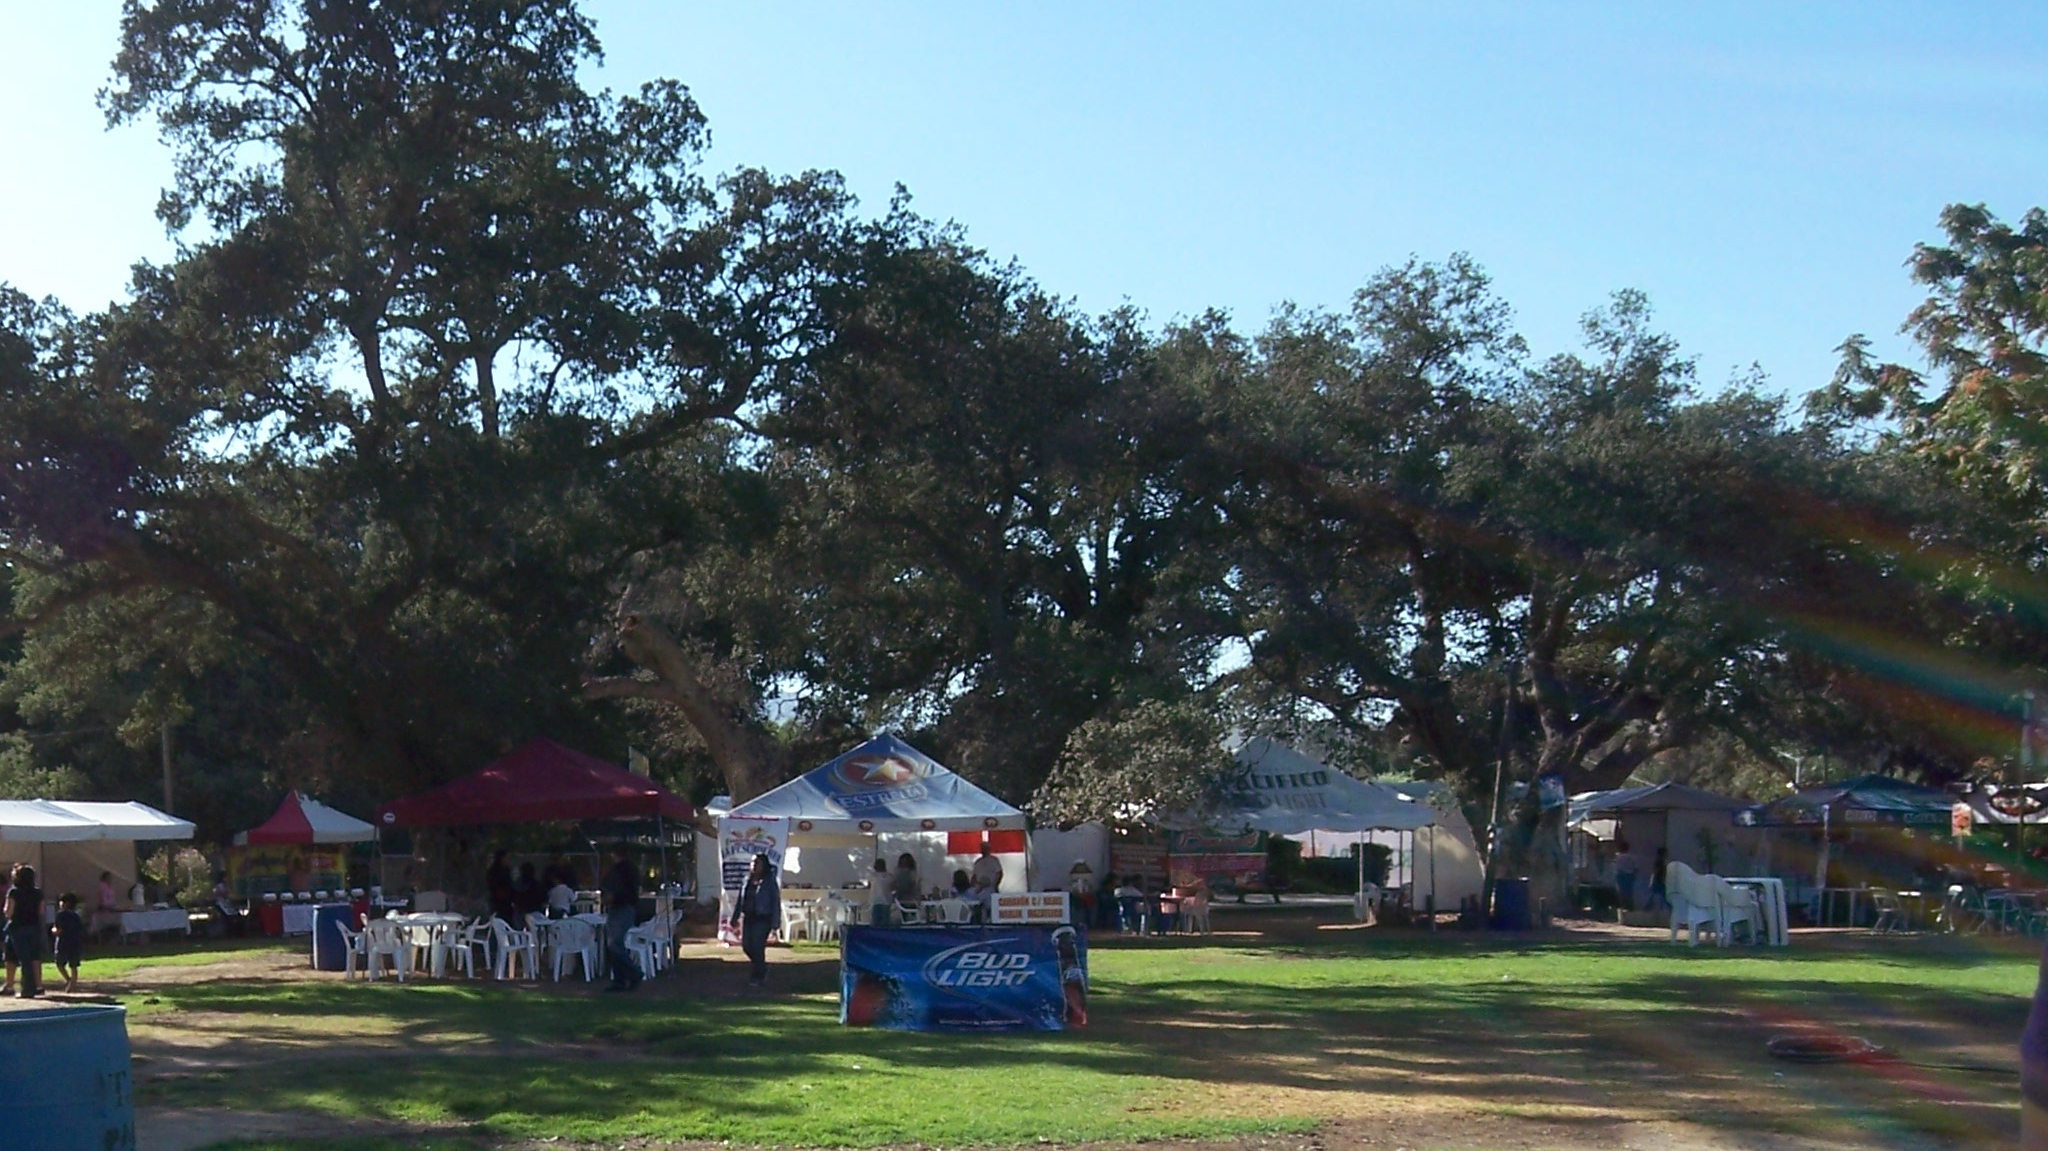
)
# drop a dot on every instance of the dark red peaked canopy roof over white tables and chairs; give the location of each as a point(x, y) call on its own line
point(540, 783)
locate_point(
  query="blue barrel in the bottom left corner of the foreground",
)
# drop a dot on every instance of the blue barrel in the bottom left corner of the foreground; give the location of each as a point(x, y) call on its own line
point(65, 1080)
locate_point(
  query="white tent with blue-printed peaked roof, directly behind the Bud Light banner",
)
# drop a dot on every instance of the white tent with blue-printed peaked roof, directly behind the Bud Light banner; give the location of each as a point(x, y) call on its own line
point(878, 802)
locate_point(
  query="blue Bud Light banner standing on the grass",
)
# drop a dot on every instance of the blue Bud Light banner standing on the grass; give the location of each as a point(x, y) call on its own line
point(964, 978)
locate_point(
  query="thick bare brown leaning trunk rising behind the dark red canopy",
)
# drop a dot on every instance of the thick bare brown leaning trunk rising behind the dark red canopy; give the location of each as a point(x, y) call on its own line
point(746, 755)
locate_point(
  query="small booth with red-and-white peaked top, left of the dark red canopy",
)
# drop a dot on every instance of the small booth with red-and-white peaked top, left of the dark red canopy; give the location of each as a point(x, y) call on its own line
point(294, 863)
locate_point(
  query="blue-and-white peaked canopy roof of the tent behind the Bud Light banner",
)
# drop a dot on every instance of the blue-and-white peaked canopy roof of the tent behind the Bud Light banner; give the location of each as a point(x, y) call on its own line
point(884, 785)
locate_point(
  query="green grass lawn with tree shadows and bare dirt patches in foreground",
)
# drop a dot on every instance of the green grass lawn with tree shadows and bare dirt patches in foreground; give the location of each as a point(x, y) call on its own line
point(1185, 1041)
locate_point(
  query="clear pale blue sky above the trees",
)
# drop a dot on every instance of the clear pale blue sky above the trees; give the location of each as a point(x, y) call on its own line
point(1762, 171)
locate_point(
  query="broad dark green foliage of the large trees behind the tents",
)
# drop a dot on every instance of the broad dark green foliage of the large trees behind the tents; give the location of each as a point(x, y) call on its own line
point(474, 409)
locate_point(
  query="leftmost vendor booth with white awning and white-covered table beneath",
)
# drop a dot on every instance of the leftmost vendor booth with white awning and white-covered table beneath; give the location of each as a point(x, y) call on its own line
point(71, 845)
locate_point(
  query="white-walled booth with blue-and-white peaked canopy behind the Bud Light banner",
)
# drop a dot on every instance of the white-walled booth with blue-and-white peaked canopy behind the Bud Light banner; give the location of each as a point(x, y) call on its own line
point(878, 802)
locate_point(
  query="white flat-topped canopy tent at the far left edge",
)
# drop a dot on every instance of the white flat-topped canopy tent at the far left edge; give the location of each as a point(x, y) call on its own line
point(71, 845)
